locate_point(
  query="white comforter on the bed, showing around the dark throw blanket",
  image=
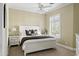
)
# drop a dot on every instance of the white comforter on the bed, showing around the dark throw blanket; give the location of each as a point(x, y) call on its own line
point(27, 44)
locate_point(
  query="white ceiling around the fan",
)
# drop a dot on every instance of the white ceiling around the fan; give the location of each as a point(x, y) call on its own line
point(34, 7)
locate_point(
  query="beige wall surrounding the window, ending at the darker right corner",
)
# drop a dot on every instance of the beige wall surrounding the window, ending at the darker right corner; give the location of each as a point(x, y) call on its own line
point(66, 25)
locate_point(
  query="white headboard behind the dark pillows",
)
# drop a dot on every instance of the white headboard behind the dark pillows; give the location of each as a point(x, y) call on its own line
point(23, 28)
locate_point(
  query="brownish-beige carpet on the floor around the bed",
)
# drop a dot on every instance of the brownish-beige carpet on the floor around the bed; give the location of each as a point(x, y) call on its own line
point(59, 51)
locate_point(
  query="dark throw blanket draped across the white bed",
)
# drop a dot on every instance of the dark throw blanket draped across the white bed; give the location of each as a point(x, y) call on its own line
point(33, 37)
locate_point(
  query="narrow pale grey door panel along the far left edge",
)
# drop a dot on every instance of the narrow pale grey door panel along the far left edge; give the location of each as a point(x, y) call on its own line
point(1, 26)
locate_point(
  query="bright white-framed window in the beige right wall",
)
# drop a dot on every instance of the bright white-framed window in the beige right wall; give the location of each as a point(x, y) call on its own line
point(55, 25)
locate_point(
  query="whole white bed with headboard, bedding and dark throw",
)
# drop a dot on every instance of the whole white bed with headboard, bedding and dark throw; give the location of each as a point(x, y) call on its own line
point(33, 43)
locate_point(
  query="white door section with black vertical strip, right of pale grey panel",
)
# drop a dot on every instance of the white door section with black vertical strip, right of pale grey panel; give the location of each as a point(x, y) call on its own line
point(5, 30)
